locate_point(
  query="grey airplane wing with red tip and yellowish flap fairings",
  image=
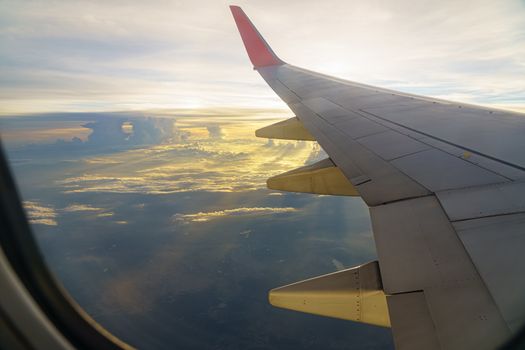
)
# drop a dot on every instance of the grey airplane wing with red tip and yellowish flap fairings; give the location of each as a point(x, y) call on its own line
point(444, 183)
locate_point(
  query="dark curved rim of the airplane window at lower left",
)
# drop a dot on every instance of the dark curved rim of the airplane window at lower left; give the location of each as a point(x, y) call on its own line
point(24, 256)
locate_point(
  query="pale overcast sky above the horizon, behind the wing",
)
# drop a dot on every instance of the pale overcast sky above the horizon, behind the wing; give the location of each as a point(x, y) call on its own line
point(140, 55)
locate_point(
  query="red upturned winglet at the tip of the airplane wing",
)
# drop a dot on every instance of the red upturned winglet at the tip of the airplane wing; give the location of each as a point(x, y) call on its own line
point(258, 50)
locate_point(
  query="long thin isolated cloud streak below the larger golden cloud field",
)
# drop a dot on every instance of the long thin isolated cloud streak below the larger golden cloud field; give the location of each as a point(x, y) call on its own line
point(237, 212)
